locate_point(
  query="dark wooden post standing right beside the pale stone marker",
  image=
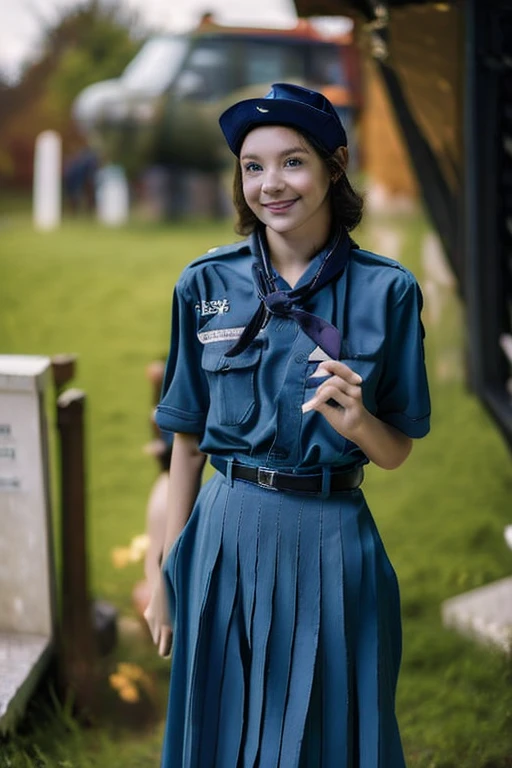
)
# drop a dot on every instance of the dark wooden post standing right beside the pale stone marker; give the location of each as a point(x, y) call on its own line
point(77, 637)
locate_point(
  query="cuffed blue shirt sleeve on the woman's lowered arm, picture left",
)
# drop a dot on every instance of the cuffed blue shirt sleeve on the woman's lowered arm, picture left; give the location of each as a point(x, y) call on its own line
point(184, 399)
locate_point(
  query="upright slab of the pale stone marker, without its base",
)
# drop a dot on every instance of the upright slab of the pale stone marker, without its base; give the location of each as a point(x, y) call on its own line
point(26, 557)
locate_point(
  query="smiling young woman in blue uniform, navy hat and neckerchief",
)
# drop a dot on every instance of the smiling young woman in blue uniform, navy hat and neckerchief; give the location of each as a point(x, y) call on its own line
point(296, 358)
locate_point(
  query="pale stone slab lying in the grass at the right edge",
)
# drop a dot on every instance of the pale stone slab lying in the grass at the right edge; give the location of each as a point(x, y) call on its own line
point(484, 614)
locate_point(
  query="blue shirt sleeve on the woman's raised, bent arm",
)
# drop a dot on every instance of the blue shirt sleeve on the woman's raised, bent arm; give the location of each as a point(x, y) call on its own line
point(402, 395)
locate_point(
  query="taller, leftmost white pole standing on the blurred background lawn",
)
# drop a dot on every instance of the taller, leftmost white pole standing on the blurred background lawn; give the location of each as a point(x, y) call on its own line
point(47, 180)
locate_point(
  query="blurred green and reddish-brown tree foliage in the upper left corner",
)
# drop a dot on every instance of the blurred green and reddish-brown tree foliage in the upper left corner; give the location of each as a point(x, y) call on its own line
point(91, 42)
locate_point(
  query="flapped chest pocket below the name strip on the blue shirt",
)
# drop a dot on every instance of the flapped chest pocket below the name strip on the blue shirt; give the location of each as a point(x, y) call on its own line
point(232, 382)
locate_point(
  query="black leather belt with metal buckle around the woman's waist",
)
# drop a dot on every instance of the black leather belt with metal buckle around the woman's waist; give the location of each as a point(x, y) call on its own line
point(336, 481)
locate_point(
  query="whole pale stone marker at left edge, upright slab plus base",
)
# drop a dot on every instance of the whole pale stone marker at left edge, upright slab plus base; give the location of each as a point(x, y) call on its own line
point(27, 580)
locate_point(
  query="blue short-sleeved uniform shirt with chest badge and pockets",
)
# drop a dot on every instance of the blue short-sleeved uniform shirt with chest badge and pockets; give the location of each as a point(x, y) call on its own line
point(249, 407)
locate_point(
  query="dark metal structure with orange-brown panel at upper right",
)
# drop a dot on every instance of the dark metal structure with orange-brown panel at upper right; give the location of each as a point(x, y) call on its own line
point(447, 68)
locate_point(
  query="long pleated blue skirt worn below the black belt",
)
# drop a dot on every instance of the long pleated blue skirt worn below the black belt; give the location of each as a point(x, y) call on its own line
point(287, 635)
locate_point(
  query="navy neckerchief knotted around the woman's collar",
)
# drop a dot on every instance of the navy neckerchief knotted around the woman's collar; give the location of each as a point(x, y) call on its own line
point(287, 303)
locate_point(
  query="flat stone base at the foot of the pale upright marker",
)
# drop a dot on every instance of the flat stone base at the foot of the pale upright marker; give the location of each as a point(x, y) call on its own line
point(22, 659)
